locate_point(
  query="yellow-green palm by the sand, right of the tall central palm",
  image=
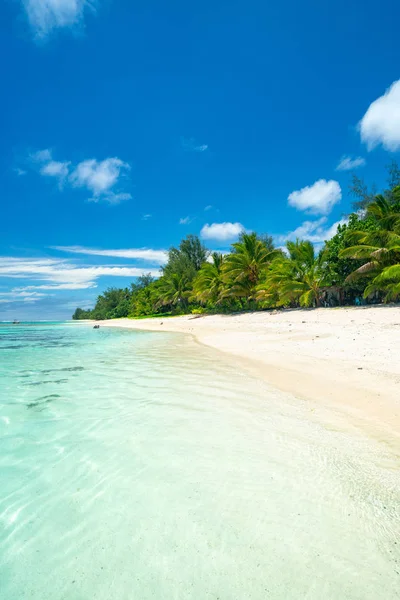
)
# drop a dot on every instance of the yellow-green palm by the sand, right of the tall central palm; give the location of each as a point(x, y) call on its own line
point(295, 278)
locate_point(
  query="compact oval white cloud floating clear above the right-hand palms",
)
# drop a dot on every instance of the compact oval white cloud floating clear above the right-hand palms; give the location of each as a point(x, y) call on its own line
point(318, 198)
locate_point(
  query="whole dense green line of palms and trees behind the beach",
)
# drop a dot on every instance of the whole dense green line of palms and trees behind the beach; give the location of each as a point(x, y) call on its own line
point(361, 263)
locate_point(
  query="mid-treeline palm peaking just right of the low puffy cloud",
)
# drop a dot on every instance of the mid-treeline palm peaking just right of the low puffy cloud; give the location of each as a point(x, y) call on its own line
point(246, 265)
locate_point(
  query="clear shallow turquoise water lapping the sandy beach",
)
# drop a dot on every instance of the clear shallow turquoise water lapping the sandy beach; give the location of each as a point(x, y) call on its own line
point(143, 466)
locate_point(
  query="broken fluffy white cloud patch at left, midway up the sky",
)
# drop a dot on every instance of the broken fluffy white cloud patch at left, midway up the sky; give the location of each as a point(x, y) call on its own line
point(100, 178)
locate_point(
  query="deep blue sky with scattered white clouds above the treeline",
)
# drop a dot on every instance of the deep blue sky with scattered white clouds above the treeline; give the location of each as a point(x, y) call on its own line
point(126, 126)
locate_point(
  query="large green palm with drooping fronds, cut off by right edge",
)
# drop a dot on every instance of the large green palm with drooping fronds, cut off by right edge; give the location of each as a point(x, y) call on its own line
point(380, 247)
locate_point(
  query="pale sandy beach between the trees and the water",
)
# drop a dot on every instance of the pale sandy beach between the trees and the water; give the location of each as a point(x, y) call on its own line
point(345, 359)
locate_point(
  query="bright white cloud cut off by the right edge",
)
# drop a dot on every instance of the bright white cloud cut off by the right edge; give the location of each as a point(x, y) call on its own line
point(381, 122)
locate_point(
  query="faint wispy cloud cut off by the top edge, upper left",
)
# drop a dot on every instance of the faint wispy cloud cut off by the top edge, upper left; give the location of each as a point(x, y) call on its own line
point(47, 15)
